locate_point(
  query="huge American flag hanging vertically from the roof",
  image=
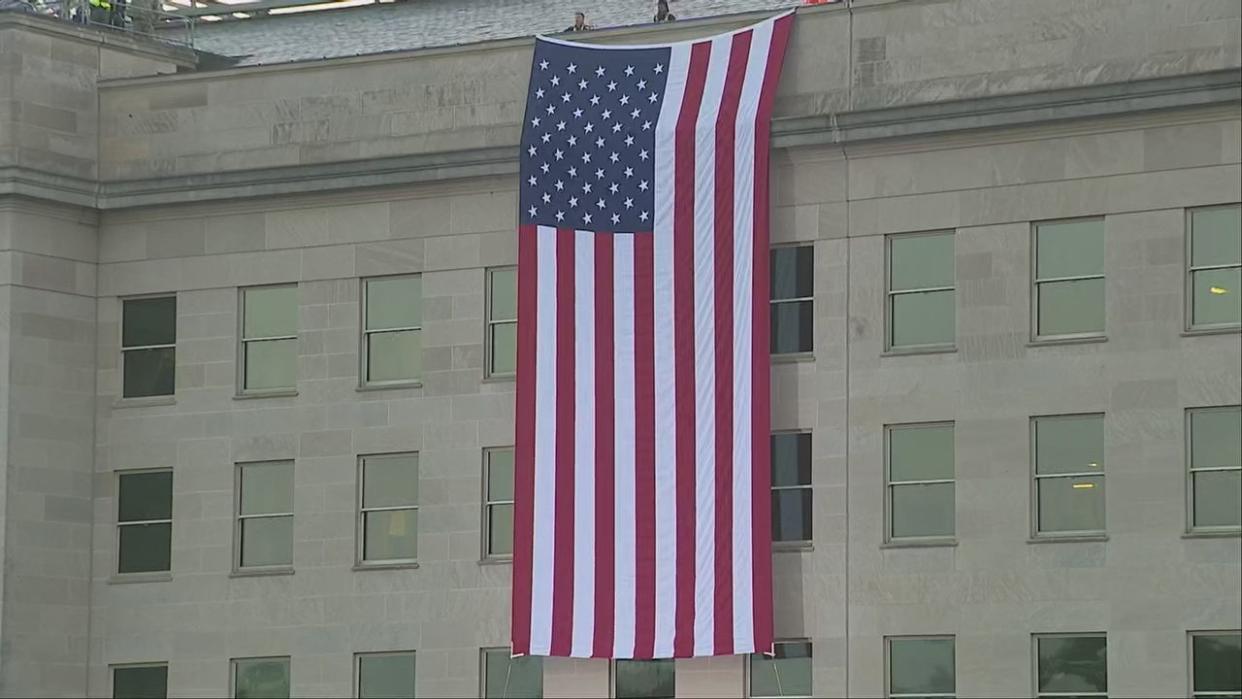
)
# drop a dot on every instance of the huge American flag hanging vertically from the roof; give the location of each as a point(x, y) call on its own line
point(643, 522)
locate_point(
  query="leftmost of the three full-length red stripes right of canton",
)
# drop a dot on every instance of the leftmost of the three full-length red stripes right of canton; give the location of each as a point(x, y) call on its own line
point(684, 345)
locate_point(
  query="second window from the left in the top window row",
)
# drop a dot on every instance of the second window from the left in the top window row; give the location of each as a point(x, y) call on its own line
point(270, 338)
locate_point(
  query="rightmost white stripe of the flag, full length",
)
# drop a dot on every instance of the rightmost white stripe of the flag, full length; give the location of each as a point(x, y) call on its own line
point(743, 309)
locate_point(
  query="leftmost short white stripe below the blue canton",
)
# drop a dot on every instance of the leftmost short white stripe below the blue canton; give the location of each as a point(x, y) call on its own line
point(546, 445)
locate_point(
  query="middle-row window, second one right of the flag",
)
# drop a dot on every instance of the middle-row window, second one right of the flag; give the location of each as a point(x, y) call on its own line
point(921, 481)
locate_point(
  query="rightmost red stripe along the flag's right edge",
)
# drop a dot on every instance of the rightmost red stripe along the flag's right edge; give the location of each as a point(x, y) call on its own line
point(761, 352)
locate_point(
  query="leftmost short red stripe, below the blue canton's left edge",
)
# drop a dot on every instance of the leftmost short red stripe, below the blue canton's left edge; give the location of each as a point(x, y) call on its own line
point(525, 443)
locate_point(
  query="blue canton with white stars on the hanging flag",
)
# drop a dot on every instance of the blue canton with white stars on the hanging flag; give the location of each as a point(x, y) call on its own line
point(588, 143)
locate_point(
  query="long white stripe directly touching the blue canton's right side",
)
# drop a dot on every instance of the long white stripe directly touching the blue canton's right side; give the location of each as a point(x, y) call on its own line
point(666, 424)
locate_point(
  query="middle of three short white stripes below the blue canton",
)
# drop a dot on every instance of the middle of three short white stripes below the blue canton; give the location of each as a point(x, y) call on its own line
point(584, 445)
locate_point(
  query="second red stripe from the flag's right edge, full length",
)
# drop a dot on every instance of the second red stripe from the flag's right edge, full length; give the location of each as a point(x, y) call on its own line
point(723, 258)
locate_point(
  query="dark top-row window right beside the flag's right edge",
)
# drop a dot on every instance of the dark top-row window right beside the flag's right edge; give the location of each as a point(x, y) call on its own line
point(793, 287)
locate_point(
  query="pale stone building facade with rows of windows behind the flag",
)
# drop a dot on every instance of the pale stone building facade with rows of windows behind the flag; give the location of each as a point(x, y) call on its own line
point(235, 456)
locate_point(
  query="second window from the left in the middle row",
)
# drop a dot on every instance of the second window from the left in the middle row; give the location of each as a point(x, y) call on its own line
point(265, 515)
